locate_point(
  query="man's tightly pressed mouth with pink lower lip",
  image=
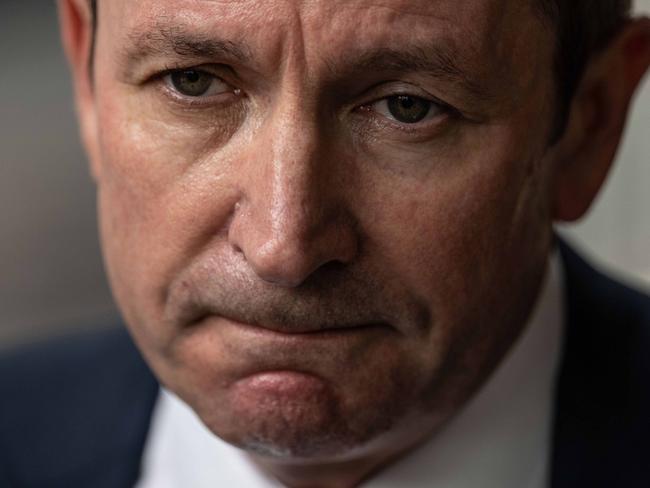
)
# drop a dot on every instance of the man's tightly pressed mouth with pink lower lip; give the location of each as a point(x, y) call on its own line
point(234, 350)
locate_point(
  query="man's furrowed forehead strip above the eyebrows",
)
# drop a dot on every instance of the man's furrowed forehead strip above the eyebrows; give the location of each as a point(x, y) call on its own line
point(476, 26)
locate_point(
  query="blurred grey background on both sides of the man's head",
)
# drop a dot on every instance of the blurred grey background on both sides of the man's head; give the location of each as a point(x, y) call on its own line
point(51, 275)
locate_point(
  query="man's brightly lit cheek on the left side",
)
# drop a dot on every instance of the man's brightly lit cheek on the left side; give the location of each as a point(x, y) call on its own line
point(161, 196)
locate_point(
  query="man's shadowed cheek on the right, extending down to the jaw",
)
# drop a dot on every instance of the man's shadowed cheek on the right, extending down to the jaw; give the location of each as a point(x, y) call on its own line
point(470, 247)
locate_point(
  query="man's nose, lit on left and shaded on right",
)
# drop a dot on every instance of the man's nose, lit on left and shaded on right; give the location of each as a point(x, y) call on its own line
point(292, 219)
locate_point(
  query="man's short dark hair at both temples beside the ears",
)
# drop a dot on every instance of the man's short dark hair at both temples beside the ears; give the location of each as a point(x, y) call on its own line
point(582, 28)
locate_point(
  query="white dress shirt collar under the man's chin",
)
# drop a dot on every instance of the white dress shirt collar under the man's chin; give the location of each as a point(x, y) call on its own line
point(500, 439)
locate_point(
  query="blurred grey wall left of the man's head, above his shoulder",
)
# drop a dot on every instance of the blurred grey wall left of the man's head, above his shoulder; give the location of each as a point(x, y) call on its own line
point(51, 275)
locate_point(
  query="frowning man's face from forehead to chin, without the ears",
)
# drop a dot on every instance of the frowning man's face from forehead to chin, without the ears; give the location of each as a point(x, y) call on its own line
point(325, 221)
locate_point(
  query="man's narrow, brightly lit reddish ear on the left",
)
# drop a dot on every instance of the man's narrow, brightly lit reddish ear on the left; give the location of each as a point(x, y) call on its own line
point(76, 25)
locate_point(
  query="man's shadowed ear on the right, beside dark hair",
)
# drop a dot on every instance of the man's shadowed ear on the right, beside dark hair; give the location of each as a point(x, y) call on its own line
point(598, 113)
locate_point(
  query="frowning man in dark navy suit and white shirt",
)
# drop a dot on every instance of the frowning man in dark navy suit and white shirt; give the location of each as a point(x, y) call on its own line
point(328, 225)
